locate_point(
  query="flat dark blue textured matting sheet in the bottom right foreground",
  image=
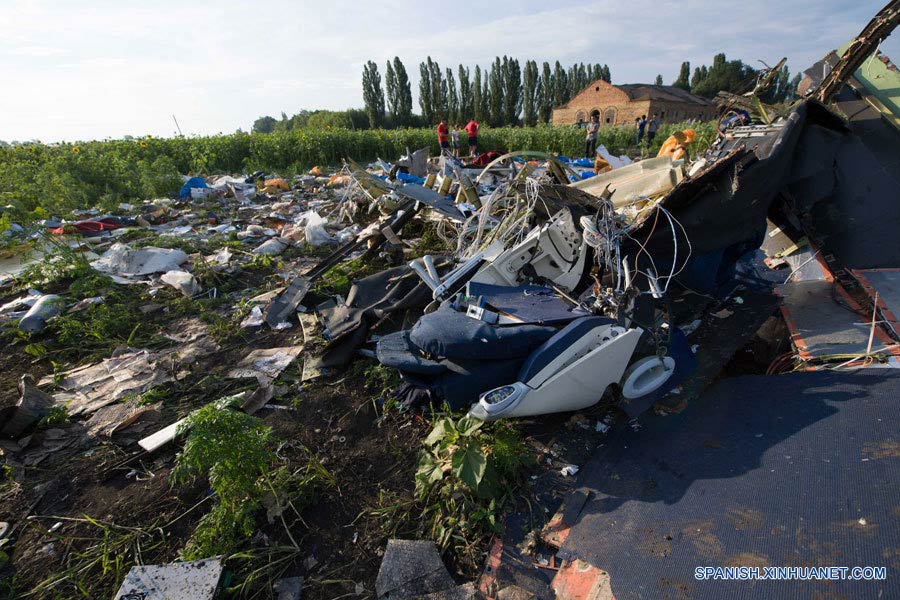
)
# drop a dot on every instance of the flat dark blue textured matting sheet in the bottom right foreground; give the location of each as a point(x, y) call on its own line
point(792, 470)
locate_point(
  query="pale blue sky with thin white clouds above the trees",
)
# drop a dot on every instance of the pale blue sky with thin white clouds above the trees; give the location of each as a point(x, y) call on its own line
point(95, 69)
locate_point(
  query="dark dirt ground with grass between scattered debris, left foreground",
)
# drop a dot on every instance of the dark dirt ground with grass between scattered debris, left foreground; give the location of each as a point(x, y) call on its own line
point(79, 517)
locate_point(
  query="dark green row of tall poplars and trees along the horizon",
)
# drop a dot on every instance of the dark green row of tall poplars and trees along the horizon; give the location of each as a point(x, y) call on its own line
point(508, 92)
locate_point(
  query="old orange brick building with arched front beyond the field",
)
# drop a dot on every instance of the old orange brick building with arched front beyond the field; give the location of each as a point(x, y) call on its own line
point(622, 104)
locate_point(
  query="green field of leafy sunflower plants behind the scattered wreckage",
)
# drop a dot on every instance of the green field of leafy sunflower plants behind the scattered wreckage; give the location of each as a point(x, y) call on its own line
point(37, 180)
